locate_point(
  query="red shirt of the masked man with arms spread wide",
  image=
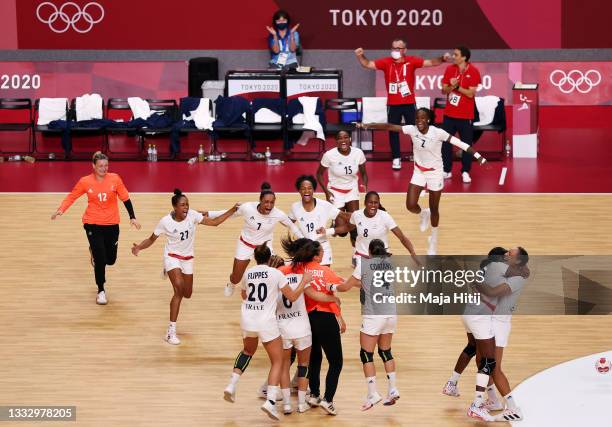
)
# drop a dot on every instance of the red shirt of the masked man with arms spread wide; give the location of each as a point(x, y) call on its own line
point(396, 73)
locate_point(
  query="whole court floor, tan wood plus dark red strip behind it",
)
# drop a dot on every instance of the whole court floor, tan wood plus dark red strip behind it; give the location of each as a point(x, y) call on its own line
point(60, 348)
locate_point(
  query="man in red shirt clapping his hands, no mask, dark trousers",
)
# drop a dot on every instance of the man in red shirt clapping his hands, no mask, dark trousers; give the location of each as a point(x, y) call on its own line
point(459, 84)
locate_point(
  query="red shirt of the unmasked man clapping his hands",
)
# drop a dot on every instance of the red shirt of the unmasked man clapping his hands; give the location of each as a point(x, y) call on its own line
point(458, 105)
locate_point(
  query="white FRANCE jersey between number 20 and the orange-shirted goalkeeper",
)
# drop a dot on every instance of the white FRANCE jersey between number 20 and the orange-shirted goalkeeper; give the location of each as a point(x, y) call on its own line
point(292, 316)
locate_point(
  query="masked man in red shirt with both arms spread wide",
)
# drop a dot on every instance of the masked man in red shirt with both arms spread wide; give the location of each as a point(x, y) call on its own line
point(399, 79)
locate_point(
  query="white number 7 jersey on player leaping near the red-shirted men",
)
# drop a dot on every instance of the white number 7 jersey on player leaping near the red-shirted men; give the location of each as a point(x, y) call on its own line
point(427, 148)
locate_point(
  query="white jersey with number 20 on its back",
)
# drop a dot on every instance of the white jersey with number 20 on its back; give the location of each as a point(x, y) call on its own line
point(262, 284)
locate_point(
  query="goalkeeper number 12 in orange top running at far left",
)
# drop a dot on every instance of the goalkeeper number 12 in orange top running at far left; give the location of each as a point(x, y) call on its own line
point(101, 218)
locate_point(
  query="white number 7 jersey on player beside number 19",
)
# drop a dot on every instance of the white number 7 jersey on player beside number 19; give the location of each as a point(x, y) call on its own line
point(259, 228)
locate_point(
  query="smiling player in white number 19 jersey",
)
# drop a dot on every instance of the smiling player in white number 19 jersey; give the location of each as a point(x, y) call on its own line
point(311, 214)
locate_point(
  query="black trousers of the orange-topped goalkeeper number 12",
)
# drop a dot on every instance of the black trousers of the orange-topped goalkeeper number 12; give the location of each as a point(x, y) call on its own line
point(103, 241)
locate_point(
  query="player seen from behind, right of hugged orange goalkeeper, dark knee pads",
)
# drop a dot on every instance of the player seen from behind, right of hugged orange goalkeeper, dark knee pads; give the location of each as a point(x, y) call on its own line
point(378, 322)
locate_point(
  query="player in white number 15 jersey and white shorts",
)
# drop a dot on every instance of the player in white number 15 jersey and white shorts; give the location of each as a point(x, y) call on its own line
point(343, 163)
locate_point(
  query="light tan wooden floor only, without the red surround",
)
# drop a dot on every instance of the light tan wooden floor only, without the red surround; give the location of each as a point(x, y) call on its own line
point(59, 348)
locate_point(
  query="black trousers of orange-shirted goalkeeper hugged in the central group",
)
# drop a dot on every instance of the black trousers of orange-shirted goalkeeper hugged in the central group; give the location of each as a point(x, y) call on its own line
point(326, 336)
